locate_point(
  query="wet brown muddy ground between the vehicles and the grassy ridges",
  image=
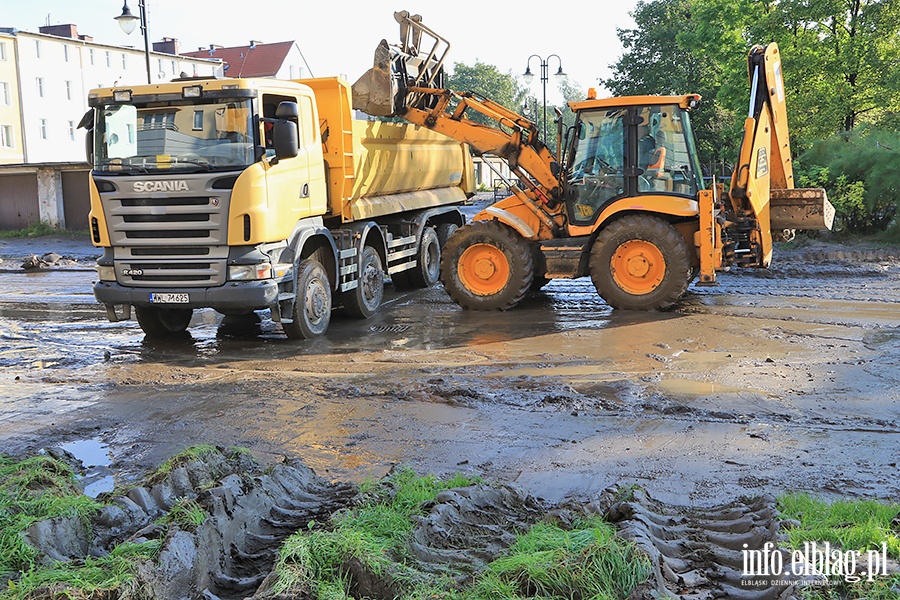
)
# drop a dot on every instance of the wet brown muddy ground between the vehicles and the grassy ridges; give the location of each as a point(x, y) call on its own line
point(776, 380)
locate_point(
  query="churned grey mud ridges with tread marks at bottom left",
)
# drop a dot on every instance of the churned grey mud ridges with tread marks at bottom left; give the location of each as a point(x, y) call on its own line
point(251, 511)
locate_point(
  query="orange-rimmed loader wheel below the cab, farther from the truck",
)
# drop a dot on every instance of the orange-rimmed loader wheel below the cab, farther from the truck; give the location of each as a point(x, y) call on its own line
point(640, 262)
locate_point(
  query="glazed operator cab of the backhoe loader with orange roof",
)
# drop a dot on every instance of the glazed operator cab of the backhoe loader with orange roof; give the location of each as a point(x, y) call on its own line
point(625, 150)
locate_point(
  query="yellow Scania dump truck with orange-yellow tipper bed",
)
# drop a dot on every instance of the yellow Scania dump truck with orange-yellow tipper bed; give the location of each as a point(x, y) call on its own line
point(249, 194)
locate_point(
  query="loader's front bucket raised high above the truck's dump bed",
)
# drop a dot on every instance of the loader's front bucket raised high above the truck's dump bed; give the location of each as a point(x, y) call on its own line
point(383, 90)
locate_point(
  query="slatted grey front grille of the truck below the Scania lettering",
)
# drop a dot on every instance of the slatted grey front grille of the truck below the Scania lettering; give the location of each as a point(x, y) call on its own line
point(174, 241)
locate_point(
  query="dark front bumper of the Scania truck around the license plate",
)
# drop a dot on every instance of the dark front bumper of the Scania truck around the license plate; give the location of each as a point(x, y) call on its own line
point(233, 296)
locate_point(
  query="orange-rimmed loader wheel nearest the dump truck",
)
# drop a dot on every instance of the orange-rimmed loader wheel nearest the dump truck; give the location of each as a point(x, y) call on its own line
point(487, 266)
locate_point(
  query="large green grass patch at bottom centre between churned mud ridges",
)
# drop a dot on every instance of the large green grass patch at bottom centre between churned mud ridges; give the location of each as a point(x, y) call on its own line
point(545, 562)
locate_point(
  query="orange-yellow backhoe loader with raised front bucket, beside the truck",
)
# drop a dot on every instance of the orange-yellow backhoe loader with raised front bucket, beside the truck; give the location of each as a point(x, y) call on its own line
point(625, 203)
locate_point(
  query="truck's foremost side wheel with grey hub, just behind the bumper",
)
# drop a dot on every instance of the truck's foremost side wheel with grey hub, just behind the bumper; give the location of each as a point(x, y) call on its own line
point(312, 306)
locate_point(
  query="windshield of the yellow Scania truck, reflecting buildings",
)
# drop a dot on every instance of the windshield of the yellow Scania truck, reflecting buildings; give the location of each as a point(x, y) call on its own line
point(217, 135)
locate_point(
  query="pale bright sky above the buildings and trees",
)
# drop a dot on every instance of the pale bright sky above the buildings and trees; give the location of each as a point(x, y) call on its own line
point(338, 37)
